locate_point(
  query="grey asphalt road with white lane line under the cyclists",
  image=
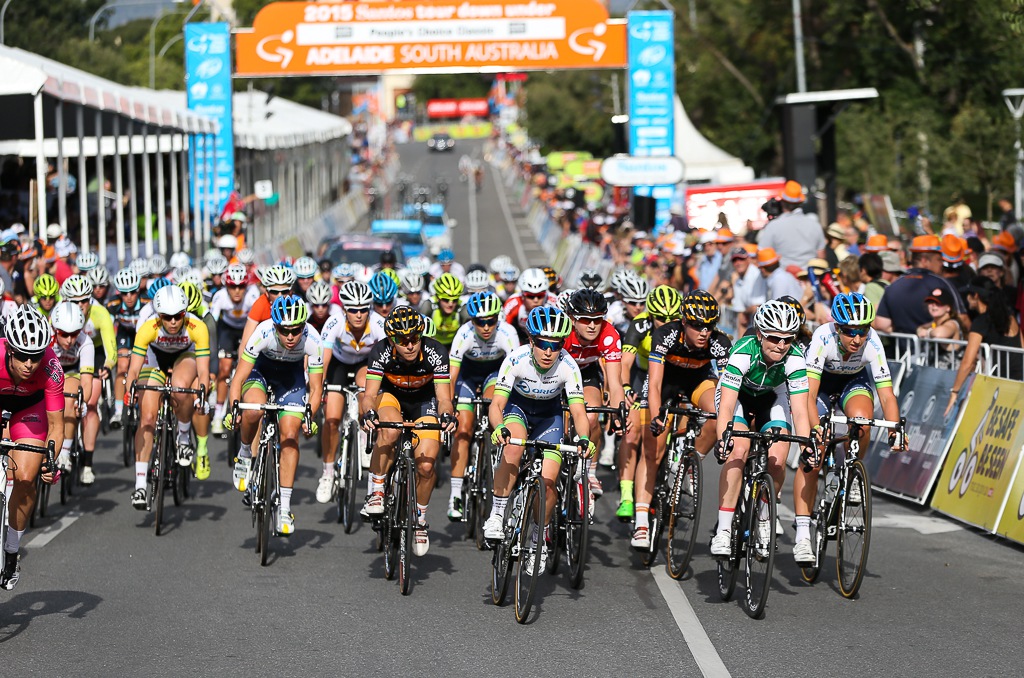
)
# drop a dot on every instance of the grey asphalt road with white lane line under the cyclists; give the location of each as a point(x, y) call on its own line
point(102, 596)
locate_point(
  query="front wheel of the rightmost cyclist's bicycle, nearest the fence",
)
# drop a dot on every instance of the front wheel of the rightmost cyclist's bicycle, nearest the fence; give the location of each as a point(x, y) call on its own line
point(855, 534)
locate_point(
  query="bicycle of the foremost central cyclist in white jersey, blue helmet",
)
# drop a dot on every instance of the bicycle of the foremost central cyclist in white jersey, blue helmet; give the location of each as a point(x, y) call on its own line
point(524, 526)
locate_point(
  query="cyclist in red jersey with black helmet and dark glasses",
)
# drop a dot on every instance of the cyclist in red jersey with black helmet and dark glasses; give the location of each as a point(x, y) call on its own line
point(594, 340)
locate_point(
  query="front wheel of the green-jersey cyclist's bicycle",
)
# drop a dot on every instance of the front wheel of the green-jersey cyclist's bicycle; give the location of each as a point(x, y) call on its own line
point(760, 547)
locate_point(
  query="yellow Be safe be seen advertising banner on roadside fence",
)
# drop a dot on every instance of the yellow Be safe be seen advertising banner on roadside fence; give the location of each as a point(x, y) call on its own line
point(984, 458)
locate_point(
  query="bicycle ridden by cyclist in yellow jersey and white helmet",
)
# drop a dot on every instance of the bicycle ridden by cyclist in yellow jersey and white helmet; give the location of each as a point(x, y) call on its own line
point(164, 469)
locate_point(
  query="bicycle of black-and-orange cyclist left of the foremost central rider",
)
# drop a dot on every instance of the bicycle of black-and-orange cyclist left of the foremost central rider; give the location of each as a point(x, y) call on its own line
point(401, 519)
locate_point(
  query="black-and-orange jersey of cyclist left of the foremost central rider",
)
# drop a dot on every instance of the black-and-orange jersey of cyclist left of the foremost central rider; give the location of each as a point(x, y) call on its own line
point(413, 382)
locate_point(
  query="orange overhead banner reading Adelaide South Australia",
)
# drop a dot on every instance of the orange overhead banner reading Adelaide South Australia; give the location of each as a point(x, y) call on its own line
point(433, 36)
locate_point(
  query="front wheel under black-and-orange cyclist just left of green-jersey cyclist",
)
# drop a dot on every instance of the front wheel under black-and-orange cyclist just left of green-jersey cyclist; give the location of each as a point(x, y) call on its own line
point(684, 516)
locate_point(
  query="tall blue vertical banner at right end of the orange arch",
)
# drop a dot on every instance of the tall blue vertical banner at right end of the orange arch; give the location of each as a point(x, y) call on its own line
point(653, 95)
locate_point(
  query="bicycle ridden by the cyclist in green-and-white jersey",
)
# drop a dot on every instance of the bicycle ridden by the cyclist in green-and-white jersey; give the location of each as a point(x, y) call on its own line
point(754, 539)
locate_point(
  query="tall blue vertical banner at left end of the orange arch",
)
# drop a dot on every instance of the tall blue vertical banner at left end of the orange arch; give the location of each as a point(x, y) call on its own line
point(208, 83)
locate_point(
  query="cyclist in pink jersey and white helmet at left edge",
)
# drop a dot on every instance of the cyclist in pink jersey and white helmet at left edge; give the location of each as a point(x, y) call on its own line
point(32, 390)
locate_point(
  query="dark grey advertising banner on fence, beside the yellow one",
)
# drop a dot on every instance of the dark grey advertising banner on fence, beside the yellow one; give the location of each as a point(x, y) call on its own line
point(911, 475)
